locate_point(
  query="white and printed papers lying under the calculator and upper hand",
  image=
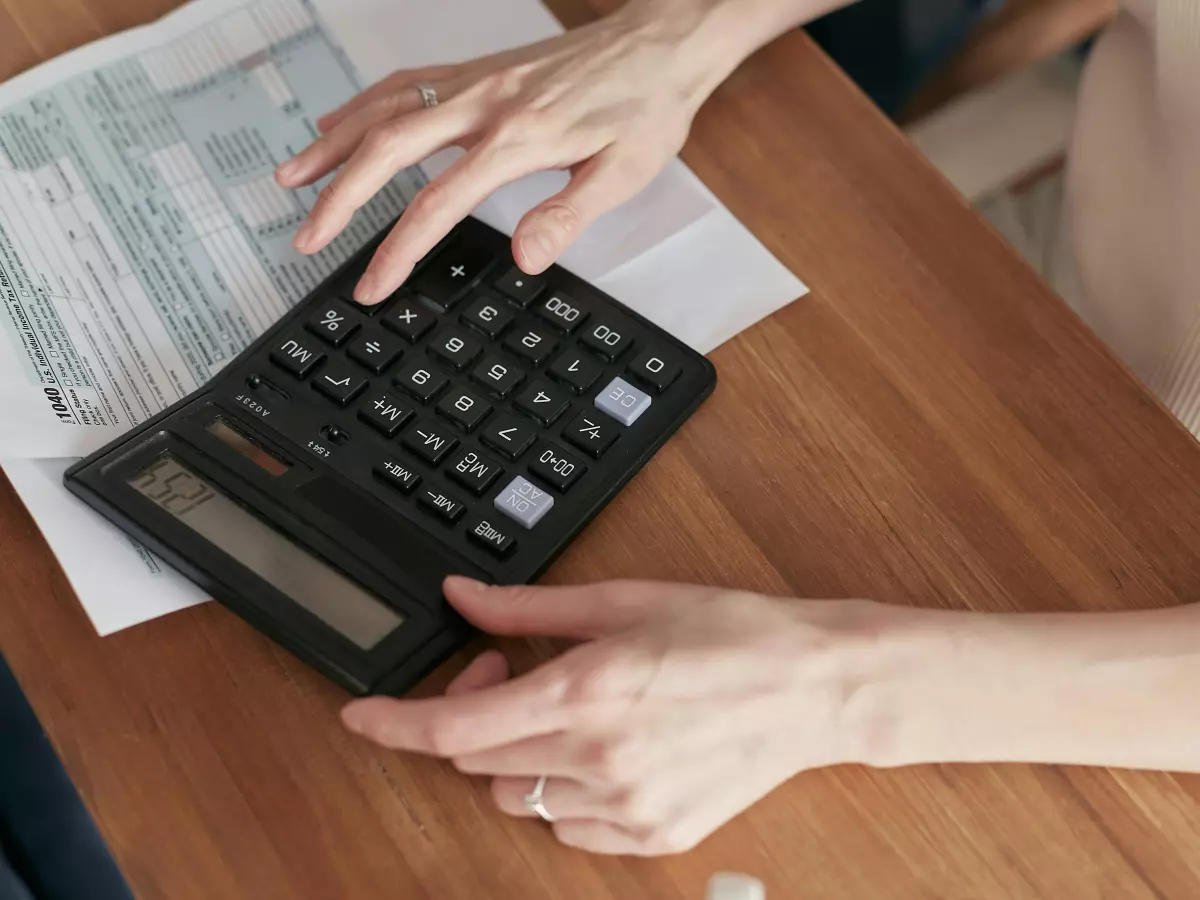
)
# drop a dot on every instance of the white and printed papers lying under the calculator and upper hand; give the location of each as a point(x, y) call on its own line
point(143, 239)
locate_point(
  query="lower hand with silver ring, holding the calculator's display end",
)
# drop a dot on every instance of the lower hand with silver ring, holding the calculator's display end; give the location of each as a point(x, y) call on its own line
point(682, 707)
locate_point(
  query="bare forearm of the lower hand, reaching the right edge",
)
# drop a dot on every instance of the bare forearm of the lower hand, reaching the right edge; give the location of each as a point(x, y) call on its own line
point(1091, 689)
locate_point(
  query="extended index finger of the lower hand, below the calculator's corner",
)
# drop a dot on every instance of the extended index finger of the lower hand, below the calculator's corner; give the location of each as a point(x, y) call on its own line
point(466, 724)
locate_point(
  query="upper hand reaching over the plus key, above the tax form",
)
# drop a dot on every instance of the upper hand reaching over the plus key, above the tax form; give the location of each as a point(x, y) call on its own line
point(611, 103)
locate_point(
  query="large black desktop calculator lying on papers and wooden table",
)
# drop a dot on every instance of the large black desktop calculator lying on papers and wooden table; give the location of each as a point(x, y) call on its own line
point(326, 482)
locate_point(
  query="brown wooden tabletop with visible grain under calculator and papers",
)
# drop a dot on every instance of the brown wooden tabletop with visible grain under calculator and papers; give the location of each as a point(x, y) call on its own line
point(931, 427)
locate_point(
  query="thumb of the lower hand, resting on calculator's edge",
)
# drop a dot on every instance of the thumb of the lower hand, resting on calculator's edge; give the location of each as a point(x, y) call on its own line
point(581, 613)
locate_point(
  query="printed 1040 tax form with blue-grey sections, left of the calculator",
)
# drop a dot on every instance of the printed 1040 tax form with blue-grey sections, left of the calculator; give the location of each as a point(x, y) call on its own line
point(143, 239)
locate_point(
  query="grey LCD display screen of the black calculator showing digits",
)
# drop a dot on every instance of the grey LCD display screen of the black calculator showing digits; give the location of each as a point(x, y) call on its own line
point(308, 581)
